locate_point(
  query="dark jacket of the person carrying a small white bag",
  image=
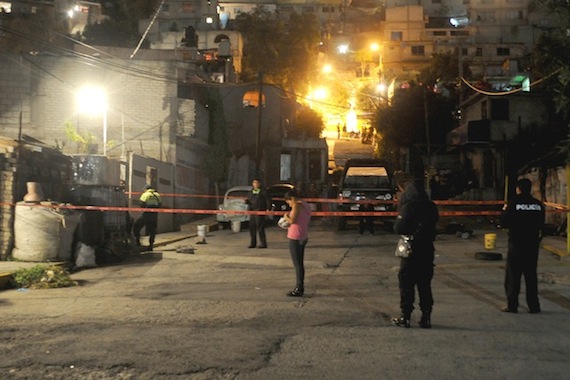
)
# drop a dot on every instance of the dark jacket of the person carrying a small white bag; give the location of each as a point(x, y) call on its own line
point(418, 215)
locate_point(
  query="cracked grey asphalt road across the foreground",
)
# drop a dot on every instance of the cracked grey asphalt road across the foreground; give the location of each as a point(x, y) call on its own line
point(222, 313)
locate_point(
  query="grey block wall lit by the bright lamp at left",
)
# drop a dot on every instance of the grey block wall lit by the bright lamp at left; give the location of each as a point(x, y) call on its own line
point(142, 99)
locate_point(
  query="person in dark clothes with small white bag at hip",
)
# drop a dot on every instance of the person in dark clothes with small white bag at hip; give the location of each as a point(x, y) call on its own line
point(417, 219)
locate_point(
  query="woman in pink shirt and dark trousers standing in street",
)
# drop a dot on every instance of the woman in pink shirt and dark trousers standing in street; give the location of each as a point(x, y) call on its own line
point(298, 235)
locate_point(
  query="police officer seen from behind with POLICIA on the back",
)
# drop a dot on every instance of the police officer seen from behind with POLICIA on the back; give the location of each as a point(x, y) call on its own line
point(524, 217)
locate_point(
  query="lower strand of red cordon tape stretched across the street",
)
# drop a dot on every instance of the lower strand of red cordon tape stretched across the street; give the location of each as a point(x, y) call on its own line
point(442, 213)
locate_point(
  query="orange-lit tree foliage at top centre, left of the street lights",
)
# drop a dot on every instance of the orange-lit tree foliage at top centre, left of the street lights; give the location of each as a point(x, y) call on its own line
point(285, 53)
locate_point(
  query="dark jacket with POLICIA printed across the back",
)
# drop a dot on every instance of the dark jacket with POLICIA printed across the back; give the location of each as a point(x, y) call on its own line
point(524, 217)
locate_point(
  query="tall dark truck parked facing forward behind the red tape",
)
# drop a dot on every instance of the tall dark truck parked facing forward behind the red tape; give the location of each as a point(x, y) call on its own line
point(364, 181)
